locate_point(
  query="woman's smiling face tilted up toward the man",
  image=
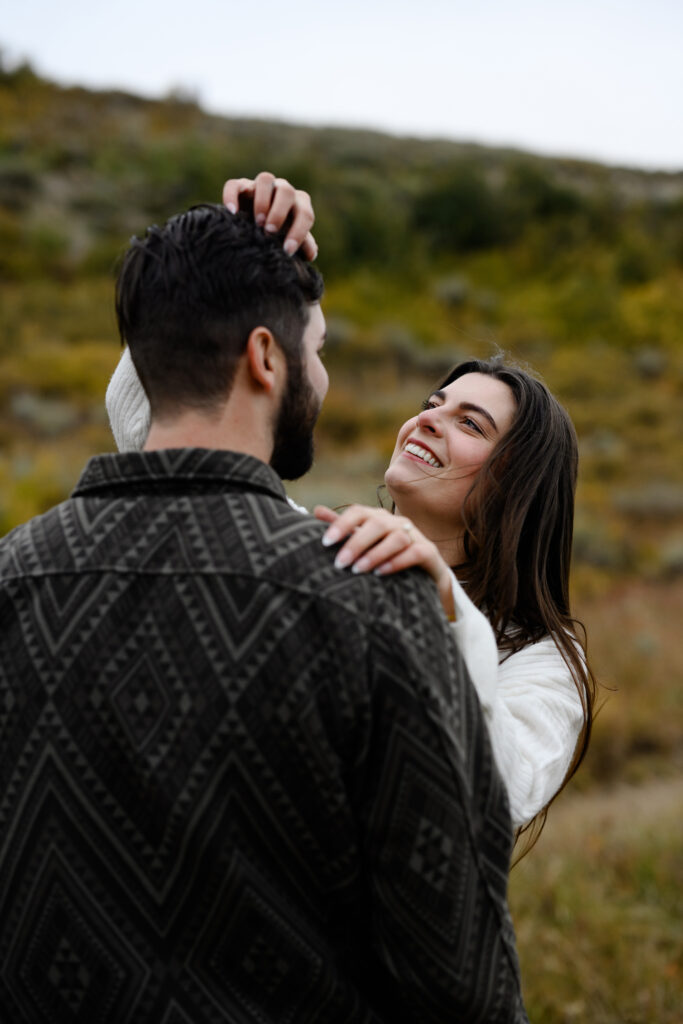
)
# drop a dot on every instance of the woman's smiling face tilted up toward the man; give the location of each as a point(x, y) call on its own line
point(440, 452)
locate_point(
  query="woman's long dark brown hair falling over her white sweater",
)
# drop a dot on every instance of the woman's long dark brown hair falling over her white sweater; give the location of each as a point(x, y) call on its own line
point(519, 532)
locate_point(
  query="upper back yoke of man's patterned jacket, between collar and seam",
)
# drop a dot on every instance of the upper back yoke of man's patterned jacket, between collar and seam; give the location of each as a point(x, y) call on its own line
point(244, 533)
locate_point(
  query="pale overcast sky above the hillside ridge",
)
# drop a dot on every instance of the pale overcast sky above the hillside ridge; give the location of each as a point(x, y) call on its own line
point(602, 79)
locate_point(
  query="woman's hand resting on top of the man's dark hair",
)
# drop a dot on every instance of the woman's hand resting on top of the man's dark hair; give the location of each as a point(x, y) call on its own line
point(275, 199)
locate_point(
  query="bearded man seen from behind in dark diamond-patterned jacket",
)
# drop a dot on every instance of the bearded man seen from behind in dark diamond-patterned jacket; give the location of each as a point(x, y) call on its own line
point(235, 785)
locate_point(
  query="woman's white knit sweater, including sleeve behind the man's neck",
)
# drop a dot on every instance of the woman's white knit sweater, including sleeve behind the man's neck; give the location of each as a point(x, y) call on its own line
point(530, 699)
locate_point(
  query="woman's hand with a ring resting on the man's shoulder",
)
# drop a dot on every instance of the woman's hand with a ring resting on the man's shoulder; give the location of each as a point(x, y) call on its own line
point(382, 543)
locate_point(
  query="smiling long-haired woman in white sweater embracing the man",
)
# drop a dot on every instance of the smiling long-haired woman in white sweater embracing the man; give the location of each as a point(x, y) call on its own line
point(483, 482)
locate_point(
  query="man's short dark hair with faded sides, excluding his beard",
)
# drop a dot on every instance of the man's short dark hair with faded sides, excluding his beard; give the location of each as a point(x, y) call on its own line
point(190, 293)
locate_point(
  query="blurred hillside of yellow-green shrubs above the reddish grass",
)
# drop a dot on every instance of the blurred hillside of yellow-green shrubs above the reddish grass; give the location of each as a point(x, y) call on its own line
point(433, 251)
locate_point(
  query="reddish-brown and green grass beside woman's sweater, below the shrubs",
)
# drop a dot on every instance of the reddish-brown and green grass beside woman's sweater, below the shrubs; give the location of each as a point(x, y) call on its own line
point(599, 903)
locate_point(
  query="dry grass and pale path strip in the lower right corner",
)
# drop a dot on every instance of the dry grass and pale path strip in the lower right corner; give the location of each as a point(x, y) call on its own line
point(597, 908)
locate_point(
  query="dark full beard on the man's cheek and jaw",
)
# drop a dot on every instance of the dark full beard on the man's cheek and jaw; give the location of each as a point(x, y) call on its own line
point(300, 409)
